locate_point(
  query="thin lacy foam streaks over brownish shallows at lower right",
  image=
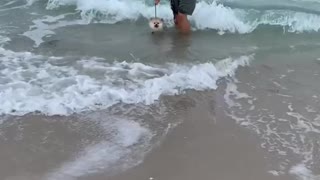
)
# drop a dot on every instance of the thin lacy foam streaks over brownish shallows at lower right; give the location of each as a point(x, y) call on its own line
point(289, 137)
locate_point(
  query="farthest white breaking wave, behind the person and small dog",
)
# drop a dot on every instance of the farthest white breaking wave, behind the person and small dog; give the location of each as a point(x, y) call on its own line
point(206, 15)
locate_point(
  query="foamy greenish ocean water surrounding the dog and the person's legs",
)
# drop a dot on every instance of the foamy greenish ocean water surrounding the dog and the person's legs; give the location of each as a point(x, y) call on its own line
point(98, 62)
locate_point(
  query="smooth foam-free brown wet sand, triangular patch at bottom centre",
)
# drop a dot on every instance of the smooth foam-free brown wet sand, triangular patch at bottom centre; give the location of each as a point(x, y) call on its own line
point(205, 147)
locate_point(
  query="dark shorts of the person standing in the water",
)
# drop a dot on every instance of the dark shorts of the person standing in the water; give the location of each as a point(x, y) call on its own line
point(183, 6)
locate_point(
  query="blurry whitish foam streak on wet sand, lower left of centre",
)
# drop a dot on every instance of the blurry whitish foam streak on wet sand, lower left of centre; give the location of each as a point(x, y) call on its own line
point(127, 144)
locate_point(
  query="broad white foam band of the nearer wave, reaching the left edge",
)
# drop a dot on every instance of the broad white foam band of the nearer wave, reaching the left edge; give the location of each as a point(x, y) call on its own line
point(32, 83)
